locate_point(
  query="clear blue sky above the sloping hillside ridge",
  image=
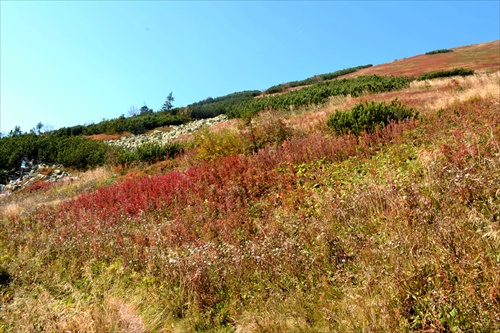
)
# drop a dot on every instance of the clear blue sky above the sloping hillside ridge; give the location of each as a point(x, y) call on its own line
point(66, 63)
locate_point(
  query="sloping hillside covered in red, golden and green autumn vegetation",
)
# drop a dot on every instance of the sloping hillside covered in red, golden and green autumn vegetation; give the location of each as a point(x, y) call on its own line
point(371, 206)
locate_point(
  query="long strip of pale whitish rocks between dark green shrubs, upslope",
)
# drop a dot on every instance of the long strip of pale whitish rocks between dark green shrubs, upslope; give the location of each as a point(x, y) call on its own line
point(160, 137)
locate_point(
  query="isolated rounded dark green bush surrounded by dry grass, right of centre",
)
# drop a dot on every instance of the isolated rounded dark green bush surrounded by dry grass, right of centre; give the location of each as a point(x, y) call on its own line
point(368, 116)
